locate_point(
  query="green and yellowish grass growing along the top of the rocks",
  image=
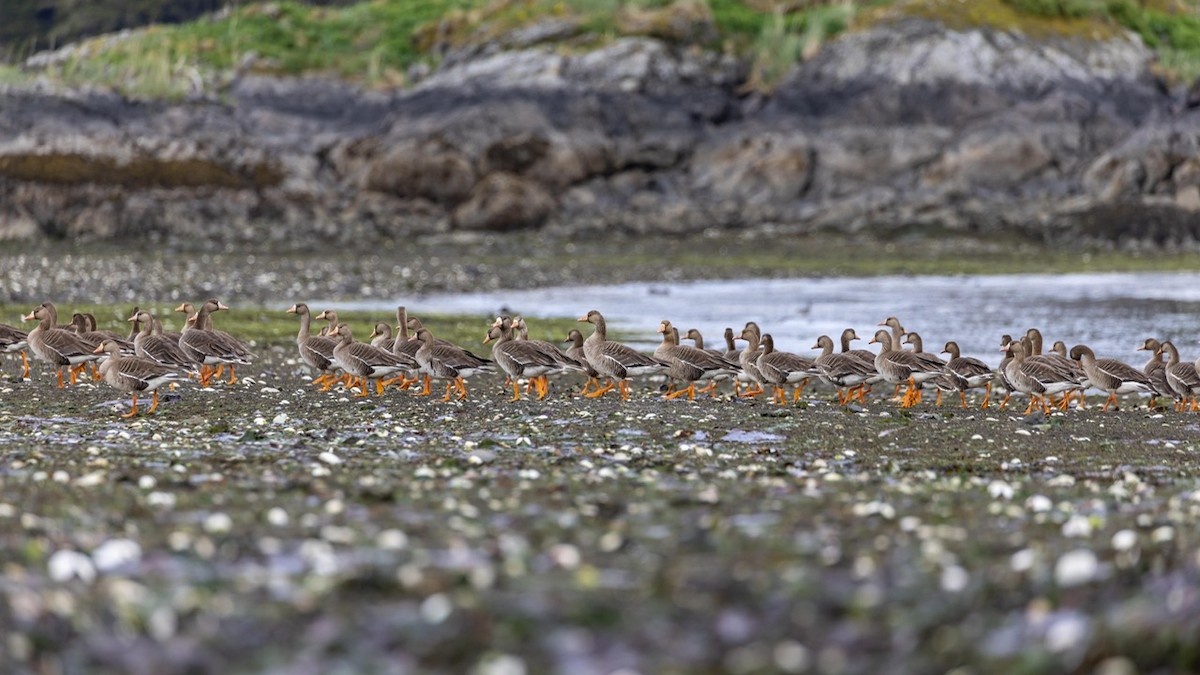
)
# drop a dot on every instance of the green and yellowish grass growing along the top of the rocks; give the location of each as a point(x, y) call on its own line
point(376, 41)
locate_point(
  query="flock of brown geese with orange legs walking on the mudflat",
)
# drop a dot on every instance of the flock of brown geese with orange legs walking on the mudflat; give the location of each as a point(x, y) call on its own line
point(148, 359)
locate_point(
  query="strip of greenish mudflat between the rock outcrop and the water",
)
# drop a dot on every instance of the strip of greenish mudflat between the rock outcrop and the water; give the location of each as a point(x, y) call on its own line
point(395, 270)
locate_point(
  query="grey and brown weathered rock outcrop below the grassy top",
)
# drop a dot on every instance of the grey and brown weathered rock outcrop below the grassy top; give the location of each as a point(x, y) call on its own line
point(907, 128)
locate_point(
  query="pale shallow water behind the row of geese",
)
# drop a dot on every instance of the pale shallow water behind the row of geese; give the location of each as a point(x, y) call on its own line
point(1112, 313)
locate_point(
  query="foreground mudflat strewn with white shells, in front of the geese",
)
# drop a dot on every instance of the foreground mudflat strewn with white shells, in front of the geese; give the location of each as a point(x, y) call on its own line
point(268, 525)
